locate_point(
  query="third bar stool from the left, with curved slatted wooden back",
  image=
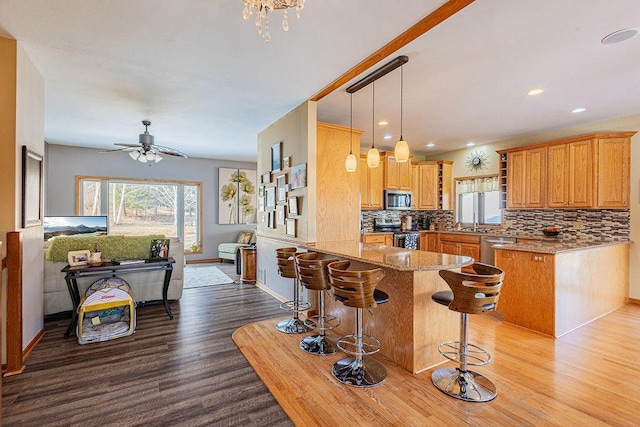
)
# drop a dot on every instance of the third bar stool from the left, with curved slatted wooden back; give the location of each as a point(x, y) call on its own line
point(357, 288)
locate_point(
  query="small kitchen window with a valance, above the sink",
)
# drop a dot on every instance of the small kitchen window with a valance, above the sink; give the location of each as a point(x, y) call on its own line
point(478, 201)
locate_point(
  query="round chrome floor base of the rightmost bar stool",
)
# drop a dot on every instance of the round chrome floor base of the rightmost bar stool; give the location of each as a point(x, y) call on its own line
point(468, 385)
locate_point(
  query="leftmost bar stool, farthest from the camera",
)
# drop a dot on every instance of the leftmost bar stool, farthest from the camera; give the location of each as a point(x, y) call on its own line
point(285, 258)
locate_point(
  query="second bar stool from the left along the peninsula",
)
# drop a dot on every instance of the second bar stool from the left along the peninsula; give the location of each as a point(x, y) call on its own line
point(314, 275)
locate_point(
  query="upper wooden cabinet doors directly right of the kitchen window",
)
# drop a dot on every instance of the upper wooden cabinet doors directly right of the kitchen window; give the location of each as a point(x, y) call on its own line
point(526, 178)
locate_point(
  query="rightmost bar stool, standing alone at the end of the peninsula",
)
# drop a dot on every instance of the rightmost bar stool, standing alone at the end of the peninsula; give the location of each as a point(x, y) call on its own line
point(470, 294)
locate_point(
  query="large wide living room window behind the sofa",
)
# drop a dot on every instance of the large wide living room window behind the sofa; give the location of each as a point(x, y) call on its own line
point(144, 207)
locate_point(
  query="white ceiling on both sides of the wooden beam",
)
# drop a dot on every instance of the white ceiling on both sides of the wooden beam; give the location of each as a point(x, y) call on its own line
point(208, 83)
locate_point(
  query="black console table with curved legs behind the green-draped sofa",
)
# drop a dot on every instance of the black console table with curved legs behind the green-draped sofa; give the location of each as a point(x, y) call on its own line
point(111, 268)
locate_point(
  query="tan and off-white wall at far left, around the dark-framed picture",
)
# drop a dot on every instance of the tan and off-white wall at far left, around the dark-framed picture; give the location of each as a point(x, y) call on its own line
point(22, 118)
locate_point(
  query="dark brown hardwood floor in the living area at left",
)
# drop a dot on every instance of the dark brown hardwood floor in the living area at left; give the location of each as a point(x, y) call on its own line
point(186, 371)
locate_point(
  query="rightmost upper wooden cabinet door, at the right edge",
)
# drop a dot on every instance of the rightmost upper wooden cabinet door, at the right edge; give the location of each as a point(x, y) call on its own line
point(613, 171)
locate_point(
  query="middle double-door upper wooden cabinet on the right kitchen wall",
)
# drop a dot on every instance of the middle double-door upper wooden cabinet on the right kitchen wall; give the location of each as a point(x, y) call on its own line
point(570, 175)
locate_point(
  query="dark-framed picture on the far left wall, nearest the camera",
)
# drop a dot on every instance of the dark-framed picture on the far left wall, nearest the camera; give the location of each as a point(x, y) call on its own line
point(32, 212)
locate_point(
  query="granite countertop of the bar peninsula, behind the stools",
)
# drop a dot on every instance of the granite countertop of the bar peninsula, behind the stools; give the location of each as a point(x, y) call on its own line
point(391, 257)
